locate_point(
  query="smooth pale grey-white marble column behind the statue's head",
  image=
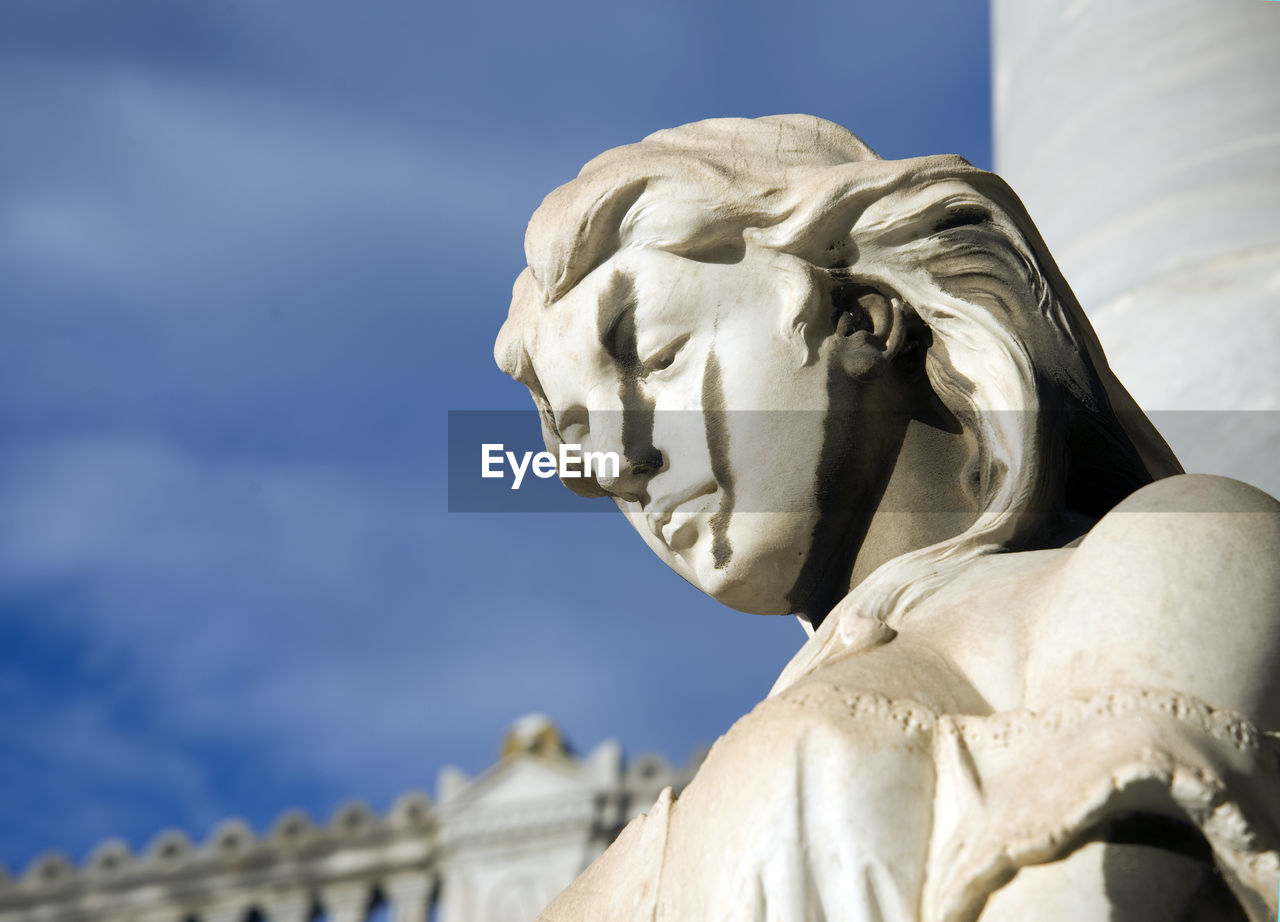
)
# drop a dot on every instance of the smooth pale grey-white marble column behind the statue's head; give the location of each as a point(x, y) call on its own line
point(1145, 139)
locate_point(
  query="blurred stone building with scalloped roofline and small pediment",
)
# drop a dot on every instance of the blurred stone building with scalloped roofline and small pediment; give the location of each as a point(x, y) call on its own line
point(495, 848)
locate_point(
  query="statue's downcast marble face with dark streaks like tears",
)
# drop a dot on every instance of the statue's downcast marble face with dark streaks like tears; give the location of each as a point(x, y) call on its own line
point(691, 372)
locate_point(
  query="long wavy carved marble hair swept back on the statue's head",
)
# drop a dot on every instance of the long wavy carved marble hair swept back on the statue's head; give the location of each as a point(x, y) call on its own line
point(1012, 354)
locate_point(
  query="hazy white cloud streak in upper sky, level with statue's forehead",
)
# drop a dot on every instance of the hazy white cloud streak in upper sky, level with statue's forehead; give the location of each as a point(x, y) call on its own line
point(156, 185)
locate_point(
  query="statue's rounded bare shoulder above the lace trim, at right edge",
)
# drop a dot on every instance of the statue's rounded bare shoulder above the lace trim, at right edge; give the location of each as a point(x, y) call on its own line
point(1176, 588)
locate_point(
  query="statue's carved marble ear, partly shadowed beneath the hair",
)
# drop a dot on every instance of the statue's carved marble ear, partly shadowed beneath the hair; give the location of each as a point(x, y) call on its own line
point(871, 328)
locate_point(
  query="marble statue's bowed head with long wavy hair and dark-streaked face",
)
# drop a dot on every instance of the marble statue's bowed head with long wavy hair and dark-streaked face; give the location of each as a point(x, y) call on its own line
point(753, 312)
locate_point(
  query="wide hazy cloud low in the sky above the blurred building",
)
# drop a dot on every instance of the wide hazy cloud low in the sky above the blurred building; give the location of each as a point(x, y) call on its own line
point(301, 608)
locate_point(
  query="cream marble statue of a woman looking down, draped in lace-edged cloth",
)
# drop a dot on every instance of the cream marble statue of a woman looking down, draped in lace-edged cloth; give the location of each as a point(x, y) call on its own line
point(1043, 679)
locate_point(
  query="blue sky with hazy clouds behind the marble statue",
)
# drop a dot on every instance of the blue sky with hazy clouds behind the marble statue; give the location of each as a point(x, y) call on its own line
point(250, 257)
